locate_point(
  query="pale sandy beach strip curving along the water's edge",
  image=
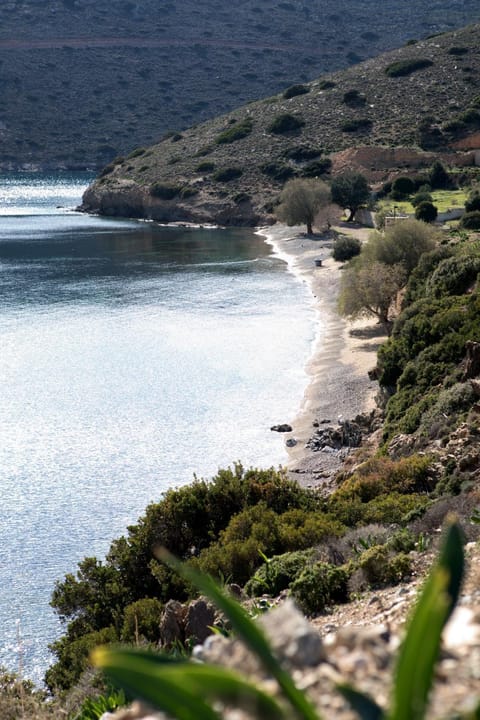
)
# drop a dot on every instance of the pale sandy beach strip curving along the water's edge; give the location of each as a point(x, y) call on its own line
point(344, 352)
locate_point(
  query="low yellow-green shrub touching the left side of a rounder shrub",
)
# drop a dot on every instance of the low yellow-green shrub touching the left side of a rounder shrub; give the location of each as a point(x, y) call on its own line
point(278, 573)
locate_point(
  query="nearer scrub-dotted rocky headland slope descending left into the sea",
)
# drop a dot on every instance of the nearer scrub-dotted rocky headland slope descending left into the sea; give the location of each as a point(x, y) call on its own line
point(407, 106)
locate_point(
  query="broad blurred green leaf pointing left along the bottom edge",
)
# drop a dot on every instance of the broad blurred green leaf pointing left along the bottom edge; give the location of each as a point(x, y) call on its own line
point(183, 688)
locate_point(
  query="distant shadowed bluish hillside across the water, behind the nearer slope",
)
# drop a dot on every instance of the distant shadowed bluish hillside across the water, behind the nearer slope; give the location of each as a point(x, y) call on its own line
point(84, 81)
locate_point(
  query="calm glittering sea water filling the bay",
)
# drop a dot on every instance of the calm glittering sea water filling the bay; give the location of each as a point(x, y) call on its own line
point(131, 357)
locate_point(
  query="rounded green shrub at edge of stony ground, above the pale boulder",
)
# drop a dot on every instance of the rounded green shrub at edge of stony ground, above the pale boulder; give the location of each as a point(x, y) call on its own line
point(320, 585)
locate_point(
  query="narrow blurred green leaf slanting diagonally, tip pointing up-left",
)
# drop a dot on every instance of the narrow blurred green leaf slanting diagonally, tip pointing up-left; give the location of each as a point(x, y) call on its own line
point(248, 631)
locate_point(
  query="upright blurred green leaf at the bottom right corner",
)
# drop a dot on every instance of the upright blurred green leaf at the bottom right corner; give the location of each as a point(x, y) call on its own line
point(419, 652)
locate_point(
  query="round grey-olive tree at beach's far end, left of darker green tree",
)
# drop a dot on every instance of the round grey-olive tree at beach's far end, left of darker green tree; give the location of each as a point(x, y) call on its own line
point(301, 200)
